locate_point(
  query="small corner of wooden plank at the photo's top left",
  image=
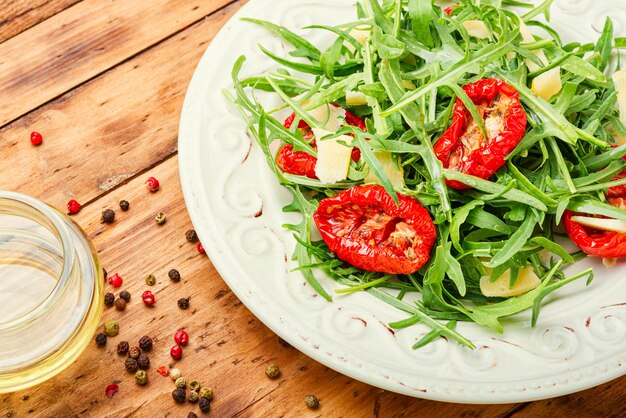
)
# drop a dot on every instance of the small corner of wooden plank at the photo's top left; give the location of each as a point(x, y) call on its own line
point(18, 15)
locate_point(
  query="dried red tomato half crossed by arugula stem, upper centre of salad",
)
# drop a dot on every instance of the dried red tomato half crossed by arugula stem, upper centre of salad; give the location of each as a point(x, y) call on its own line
point(464, 148)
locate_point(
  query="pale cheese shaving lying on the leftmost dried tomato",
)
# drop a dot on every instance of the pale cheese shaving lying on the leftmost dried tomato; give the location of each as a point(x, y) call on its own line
point(333, 158)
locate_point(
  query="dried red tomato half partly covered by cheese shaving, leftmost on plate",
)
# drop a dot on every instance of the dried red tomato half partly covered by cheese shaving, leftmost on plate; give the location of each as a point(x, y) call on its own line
point(302, 163)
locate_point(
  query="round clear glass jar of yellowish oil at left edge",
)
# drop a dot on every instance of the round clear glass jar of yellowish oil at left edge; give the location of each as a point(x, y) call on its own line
point(51, 291)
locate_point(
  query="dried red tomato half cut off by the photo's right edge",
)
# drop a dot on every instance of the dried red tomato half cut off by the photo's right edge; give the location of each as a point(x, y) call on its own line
point(605, 244)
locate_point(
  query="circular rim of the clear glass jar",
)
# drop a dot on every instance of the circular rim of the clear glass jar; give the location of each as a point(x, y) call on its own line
point(60, 230)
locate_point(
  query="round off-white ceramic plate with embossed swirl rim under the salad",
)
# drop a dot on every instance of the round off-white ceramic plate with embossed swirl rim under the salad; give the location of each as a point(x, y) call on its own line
point(235, 204)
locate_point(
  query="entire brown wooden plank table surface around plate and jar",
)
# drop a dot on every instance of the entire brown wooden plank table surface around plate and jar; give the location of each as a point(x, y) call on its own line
point(104, 82)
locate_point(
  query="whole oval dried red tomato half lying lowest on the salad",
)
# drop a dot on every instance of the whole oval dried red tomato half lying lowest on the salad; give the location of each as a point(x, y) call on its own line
point(364, 227)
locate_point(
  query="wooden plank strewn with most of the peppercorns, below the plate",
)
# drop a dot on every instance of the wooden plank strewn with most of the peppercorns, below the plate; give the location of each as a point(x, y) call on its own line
point(229, 347)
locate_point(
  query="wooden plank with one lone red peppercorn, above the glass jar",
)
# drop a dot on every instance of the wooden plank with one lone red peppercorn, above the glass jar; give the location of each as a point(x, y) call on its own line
point(106, 131)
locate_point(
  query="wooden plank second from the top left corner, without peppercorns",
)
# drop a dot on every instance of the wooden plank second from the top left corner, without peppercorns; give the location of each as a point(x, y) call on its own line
point(82, 42)
